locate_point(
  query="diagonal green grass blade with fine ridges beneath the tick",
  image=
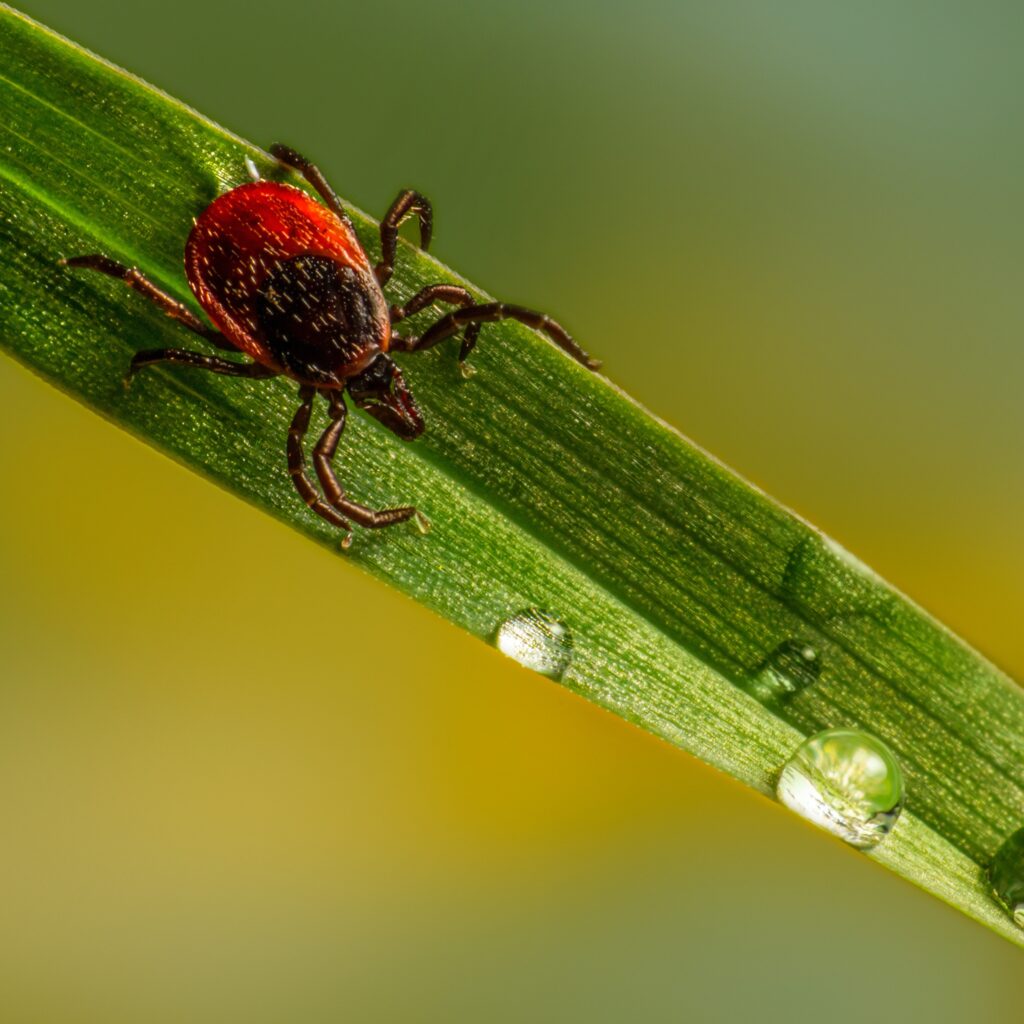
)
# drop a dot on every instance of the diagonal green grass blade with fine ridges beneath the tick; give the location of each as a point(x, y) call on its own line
point(545, 485)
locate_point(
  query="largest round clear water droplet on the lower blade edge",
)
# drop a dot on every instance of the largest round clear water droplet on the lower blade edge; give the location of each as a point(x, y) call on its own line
point(847, 783)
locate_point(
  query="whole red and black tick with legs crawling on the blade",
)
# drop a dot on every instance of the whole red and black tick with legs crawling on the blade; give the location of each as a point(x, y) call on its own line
point(285, 281)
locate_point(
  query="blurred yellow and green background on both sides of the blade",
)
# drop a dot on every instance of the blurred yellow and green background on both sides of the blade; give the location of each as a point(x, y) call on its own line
point(792, 230)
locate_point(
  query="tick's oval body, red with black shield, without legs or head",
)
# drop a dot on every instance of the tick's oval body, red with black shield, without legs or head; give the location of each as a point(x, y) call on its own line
point(286, 281)
